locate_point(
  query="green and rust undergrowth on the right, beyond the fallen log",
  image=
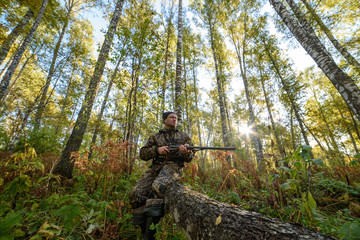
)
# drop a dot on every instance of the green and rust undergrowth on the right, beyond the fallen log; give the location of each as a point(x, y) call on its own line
point(295, 189)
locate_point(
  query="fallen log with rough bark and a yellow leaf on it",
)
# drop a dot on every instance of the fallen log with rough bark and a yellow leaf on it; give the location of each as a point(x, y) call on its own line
point(201, 217)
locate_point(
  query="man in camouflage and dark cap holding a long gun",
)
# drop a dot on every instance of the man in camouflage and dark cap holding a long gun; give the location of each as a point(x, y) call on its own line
point(146, 196)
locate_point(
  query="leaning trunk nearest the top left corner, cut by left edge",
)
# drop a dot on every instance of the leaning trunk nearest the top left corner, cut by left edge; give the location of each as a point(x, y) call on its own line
point(8, 42)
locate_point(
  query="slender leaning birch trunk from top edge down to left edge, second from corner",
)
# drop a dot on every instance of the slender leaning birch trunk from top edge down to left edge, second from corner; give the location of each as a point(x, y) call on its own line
point(17, 57)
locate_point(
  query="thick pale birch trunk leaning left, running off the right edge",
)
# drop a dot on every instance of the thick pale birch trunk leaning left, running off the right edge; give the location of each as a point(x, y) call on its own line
point(342, 82)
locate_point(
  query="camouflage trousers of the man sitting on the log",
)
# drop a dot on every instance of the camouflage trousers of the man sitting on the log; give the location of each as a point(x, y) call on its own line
point(153, 183)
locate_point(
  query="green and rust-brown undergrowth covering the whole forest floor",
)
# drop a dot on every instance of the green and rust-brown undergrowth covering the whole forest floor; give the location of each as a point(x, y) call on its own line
point(34, 204)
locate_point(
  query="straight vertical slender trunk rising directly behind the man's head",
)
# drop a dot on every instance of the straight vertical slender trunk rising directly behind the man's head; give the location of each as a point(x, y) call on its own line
point(178, 75)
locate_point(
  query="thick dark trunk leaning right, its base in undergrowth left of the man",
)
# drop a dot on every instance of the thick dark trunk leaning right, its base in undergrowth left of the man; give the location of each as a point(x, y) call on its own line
point(66, 162)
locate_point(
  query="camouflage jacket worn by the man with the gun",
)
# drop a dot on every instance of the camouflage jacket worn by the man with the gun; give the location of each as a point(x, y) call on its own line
point(166, 137)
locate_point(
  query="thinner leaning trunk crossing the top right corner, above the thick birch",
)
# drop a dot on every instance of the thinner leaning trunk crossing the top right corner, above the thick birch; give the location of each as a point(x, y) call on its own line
point(342, 50)
